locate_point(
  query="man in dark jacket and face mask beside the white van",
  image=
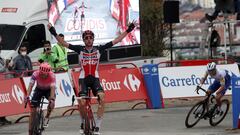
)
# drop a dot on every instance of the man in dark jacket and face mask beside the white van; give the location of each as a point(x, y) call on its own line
point(22, 62)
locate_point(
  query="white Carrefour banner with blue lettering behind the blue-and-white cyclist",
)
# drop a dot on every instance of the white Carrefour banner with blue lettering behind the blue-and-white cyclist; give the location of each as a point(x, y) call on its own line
point(182, 81)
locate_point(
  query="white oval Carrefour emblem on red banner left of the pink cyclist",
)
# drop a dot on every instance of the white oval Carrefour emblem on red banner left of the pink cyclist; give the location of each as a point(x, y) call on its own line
point(17, 94)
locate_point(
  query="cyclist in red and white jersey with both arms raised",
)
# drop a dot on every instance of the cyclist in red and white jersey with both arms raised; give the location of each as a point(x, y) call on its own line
point(89, 57)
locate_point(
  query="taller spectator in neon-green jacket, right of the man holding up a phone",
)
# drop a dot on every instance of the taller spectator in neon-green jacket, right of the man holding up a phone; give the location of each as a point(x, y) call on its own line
point(61, 52)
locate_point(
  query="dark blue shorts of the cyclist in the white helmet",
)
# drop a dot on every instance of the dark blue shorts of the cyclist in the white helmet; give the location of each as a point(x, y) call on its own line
point(216, 84)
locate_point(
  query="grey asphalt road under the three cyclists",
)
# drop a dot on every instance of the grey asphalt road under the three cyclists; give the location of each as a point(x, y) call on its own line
point(168, 121)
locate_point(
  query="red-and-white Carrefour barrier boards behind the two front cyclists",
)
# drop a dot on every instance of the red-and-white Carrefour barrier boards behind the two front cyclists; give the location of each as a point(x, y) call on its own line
point(123, 84)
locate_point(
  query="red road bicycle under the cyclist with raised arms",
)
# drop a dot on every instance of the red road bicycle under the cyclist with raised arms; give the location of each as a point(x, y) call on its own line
point(89, 121)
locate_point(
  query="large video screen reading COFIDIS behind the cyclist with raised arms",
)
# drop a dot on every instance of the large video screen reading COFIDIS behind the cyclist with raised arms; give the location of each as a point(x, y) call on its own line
point(106, 18)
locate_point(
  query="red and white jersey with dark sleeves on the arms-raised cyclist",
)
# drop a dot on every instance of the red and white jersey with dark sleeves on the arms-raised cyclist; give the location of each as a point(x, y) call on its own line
point(89, 59)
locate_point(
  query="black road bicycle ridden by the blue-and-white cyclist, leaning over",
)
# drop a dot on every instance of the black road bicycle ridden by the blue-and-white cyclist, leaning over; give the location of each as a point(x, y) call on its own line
point(207, 109)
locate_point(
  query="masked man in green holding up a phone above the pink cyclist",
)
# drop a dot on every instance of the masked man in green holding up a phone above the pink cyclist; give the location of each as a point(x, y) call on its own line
point(48, 55)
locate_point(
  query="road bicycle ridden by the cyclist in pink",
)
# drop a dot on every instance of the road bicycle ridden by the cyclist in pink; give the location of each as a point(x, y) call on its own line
point(38, 119)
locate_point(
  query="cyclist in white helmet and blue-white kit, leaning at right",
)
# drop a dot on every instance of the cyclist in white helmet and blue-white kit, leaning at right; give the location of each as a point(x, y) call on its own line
point(221, 83)
